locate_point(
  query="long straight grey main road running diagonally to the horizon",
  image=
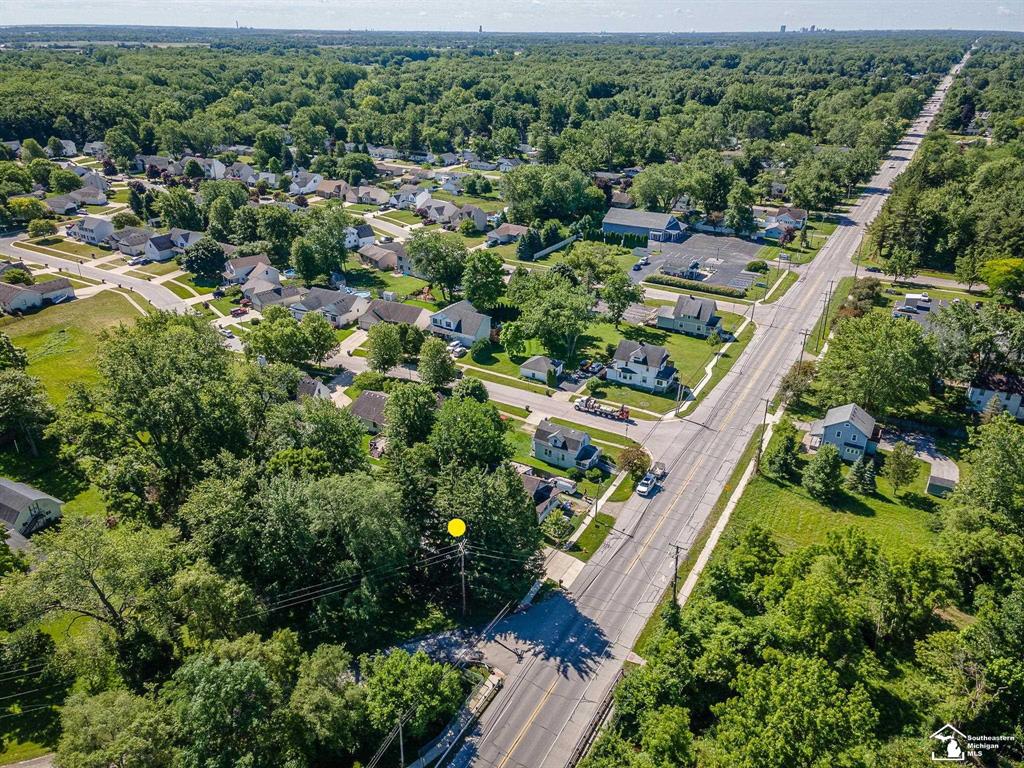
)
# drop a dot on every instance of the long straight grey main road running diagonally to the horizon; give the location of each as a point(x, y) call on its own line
point(574, 645)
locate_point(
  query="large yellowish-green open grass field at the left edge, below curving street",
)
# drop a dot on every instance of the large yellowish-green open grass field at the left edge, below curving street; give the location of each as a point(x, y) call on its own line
point(62, 340)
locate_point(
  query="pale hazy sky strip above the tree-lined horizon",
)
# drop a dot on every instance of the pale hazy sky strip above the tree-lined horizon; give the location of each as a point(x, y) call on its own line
point(531, 16)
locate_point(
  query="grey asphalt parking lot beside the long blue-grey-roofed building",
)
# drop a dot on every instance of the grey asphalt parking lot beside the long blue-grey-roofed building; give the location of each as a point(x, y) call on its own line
point(718, 261)
